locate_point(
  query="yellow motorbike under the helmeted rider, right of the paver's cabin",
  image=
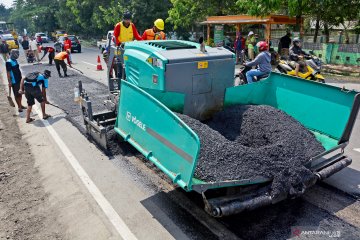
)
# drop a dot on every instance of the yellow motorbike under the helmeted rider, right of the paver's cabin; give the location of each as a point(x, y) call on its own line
point(310, 72)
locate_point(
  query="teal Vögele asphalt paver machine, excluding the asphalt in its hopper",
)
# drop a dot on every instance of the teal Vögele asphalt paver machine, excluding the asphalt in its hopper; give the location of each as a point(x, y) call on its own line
point(157, 79)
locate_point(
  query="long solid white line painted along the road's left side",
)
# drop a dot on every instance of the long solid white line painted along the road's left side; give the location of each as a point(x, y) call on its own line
point(109, 211)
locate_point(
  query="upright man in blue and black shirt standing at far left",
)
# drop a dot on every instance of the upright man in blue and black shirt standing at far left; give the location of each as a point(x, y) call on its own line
point(14, 79)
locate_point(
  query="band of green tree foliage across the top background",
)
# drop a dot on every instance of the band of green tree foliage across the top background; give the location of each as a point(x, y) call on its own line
point(96, 17)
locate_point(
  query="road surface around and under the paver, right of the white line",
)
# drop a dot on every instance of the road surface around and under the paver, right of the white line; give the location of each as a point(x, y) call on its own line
point(152, 208)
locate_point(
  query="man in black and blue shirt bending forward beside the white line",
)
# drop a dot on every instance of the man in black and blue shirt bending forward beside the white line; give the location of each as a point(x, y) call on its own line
point(31, 84)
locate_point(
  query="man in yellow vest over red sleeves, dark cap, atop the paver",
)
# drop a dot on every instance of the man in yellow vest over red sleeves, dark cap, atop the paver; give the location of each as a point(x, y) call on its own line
point(125, 31)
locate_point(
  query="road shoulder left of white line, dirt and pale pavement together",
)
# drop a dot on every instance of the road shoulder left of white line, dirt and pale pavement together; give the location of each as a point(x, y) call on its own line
point(41, 196)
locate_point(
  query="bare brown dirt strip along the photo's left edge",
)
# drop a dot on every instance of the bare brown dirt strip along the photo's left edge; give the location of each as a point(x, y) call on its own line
point(25, 212)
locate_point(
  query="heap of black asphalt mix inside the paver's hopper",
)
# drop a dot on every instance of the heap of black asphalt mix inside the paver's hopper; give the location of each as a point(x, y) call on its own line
point(249, 141)
